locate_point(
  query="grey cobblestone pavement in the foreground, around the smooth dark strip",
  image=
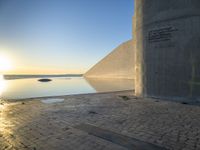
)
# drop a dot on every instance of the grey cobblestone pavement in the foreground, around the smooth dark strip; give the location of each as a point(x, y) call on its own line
point(34, 125)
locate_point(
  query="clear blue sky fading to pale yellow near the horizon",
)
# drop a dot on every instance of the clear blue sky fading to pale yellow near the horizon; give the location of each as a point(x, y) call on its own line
point(61, 36)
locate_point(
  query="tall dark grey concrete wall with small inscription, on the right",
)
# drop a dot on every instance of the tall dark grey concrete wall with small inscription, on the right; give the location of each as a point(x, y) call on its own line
point(167, 48)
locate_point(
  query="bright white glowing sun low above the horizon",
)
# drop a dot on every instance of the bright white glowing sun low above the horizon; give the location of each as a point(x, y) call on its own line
point(5, 63)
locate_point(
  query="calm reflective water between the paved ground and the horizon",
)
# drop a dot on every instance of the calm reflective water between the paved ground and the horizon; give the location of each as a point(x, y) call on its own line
point(28, 88)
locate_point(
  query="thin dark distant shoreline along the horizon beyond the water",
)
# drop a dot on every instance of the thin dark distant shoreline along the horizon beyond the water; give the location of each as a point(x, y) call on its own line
point(17, 76)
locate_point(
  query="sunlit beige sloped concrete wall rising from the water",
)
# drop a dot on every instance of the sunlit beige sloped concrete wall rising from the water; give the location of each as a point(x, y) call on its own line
point(118, 64)
